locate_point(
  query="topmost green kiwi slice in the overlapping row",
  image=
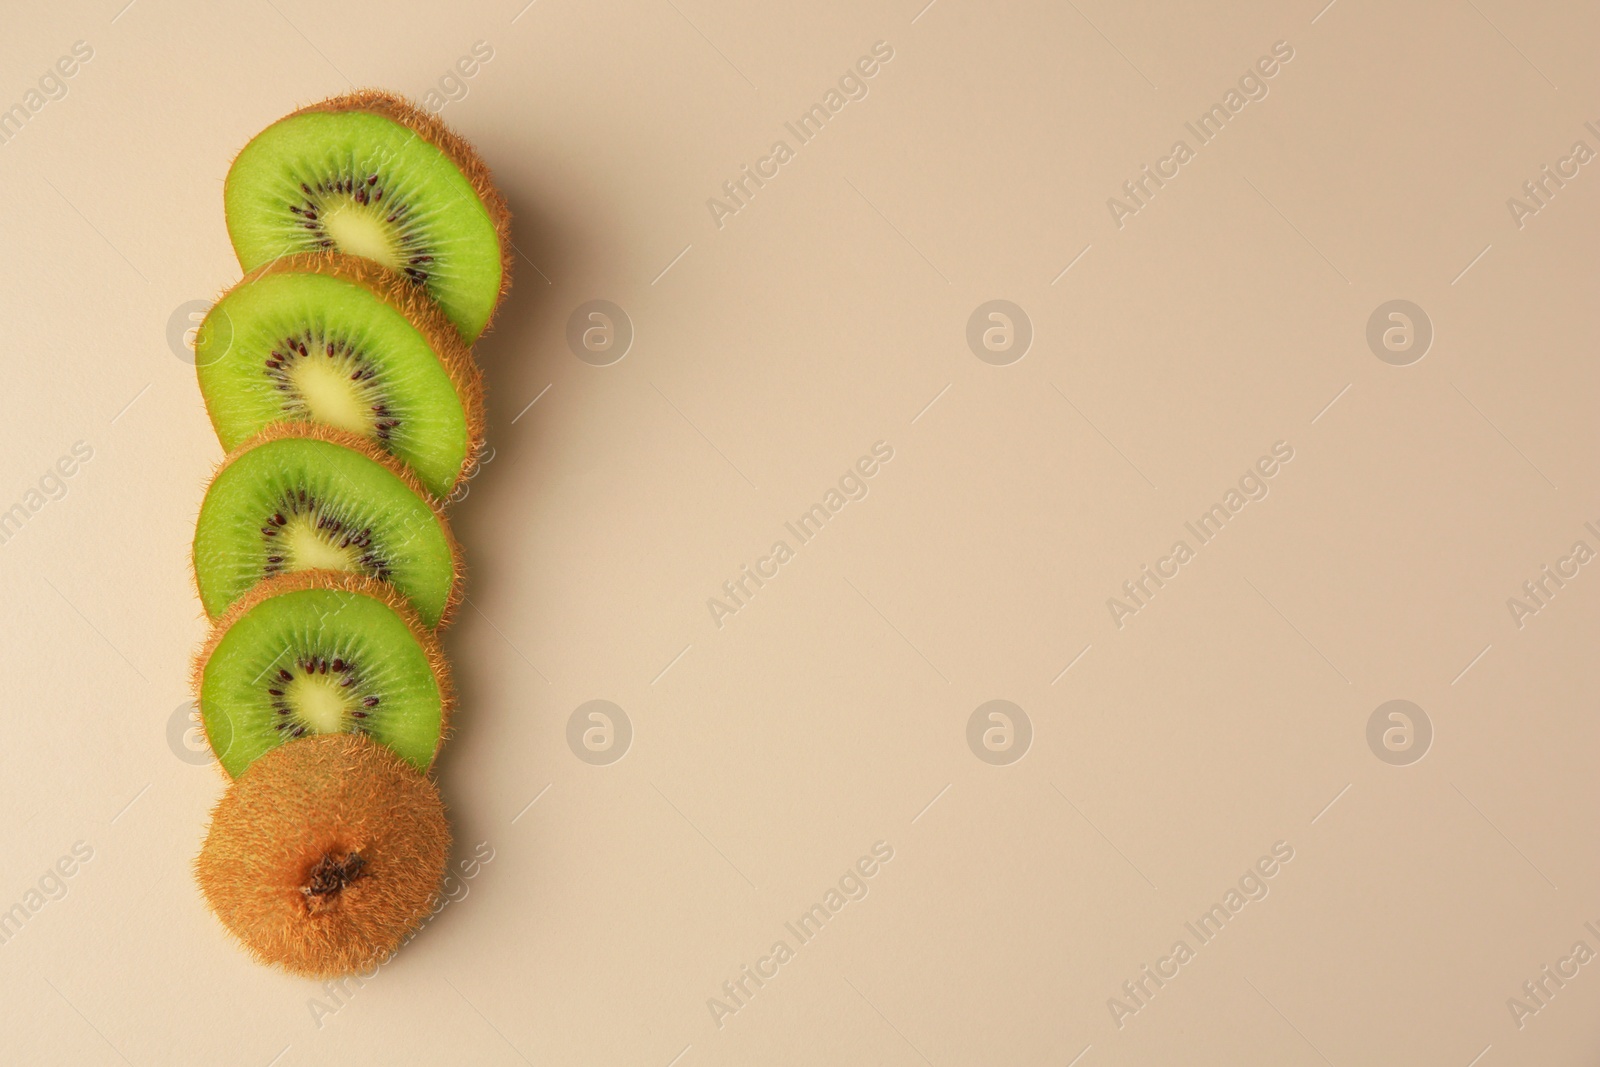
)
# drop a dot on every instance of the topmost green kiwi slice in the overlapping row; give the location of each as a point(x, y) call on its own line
point(377, 177)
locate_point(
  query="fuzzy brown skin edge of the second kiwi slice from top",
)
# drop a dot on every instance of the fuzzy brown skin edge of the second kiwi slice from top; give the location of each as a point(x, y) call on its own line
point(418, 310)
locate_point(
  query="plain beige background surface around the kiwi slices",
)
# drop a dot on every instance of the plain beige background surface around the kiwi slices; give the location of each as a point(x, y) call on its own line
point(831, 711)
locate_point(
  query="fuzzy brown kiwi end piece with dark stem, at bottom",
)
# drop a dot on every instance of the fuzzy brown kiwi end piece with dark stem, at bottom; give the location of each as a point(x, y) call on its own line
point(326, 857)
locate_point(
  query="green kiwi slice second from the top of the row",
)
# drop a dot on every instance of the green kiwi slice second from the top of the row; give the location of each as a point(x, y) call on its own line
point(337, 340)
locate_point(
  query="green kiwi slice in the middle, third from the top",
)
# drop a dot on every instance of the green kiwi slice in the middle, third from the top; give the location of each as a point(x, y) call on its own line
point(300, 497)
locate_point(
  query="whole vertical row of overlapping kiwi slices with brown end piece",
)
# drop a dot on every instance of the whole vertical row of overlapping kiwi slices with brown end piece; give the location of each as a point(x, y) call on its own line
point(338, 375)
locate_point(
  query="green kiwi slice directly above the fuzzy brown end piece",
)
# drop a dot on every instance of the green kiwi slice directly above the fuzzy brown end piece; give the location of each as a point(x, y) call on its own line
point(321, 653)
